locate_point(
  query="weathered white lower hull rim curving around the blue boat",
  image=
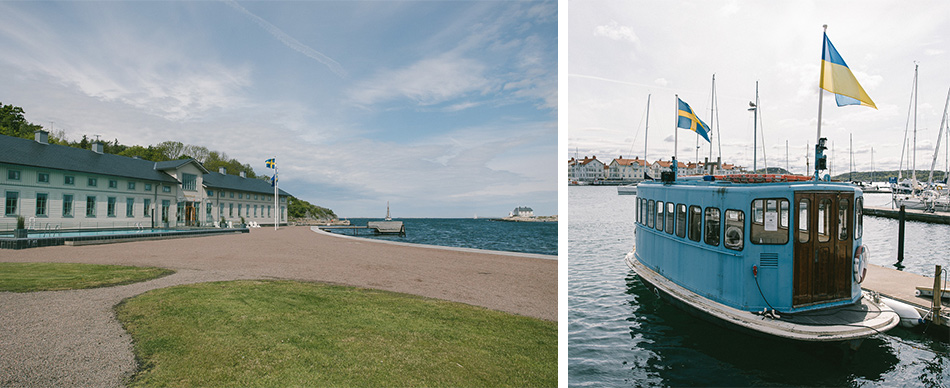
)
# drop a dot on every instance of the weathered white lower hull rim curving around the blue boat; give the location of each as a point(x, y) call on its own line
point(842, 324)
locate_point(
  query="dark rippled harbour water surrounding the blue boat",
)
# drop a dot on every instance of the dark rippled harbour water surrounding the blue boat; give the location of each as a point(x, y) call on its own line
point(620, 334)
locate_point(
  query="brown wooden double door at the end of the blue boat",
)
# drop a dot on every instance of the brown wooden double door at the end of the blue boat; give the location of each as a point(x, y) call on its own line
point(822, 247)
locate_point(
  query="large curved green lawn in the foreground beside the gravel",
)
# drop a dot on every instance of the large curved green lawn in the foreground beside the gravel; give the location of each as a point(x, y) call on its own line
point(283, 333)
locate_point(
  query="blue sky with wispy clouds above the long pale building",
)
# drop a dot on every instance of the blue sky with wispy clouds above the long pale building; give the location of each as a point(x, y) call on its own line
point(442, 108)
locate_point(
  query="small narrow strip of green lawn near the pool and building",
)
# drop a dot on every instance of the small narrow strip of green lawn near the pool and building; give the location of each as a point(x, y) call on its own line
point(29, 277)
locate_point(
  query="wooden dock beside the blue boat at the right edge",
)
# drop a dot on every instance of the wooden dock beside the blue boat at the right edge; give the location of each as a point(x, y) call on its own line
point(902, 286)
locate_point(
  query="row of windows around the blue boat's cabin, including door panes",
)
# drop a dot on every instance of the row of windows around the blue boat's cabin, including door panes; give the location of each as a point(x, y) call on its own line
point(769, 224)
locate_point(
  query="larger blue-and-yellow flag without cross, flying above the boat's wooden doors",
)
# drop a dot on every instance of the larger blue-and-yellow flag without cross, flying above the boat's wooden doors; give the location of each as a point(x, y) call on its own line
point(837, 78)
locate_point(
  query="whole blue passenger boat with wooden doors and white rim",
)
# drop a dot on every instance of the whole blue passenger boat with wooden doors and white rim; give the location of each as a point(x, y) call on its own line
point(780, 255)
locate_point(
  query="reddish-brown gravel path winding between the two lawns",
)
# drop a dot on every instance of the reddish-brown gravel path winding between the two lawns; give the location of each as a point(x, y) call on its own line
point(71, 338)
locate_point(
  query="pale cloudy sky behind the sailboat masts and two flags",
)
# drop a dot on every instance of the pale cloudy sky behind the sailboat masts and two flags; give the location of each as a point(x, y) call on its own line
point(621, 51)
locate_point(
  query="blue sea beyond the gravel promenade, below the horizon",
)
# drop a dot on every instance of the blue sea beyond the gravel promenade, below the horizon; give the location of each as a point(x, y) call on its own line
point(482, 233)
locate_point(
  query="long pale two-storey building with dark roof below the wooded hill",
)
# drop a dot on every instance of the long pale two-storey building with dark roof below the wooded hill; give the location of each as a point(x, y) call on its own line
point(55, 186)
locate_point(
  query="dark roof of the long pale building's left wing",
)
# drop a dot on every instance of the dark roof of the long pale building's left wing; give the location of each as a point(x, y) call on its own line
point(26, 152)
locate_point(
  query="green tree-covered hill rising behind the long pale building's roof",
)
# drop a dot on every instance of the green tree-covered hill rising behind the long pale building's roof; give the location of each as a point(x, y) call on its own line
point(13, 123)
